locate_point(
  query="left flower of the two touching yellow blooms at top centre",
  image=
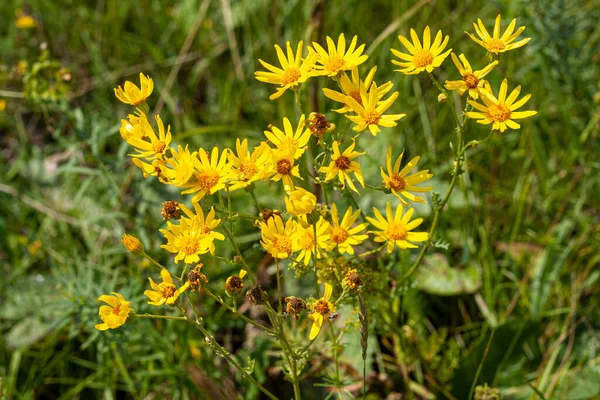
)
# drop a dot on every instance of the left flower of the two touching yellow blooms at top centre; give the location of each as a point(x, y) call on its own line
point(294, 70)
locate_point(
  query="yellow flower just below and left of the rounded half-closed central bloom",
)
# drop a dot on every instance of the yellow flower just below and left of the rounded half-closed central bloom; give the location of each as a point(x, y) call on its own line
point(278, 239)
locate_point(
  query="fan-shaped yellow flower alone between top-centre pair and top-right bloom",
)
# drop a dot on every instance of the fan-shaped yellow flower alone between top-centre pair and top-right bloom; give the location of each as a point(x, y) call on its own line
point(422, 57)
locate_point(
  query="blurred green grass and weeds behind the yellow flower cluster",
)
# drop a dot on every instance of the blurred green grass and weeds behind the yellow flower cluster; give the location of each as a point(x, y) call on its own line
point(525, 215)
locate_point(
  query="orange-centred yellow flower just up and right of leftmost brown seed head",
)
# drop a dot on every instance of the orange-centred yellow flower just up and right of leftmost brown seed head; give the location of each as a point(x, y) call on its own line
point(210, 174)
